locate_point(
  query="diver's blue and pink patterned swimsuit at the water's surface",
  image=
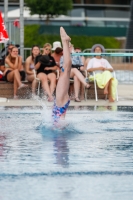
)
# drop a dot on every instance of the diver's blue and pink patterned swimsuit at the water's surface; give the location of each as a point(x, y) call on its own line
point(59, 111)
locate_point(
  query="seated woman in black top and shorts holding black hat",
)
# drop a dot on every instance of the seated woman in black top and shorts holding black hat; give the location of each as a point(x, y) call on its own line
point(46, 72)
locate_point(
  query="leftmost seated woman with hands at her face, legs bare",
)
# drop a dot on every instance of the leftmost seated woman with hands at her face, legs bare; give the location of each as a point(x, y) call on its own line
point(14, 70)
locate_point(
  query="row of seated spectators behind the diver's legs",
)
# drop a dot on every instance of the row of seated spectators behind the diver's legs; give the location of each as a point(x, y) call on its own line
point(43, 65)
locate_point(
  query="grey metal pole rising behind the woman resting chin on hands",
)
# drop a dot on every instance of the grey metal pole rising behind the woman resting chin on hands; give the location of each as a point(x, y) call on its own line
point(21, 29)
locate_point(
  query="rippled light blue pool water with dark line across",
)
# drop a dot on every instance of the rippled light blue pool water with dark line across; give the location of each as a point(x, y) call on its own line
point(90, 158)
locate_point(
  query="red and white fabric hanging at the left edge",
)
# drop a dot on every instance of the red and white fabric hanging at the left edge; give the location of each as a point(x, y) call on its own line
point(3, 33)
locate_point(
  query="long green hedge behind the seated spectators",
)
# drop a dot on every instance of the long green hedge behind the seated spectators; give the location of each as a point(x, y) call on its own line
point(33, 37)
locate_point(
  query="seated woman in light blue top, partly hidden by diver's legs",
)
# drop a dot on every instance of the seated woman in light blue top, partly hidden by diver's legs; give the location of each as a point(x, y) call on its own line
point(78, 77)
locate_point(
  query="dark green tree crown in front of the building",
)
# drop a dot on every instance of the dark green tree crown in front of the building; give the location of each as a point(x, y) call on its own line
point(50, 8)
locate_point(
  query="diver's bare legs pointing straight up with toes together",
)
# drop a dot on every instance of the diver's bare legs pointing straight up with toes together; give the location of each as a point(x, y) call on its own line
point(63, 82)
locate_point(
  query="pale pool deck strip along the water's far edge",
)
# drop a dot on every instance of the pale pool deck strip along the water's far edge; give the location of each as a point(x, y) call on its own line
point(125, 99)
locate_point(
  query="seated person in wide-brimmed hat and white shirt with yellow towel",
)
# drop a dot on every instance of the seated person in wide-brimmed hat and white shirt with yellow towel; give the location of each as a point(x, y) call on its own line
point(103, 71)
